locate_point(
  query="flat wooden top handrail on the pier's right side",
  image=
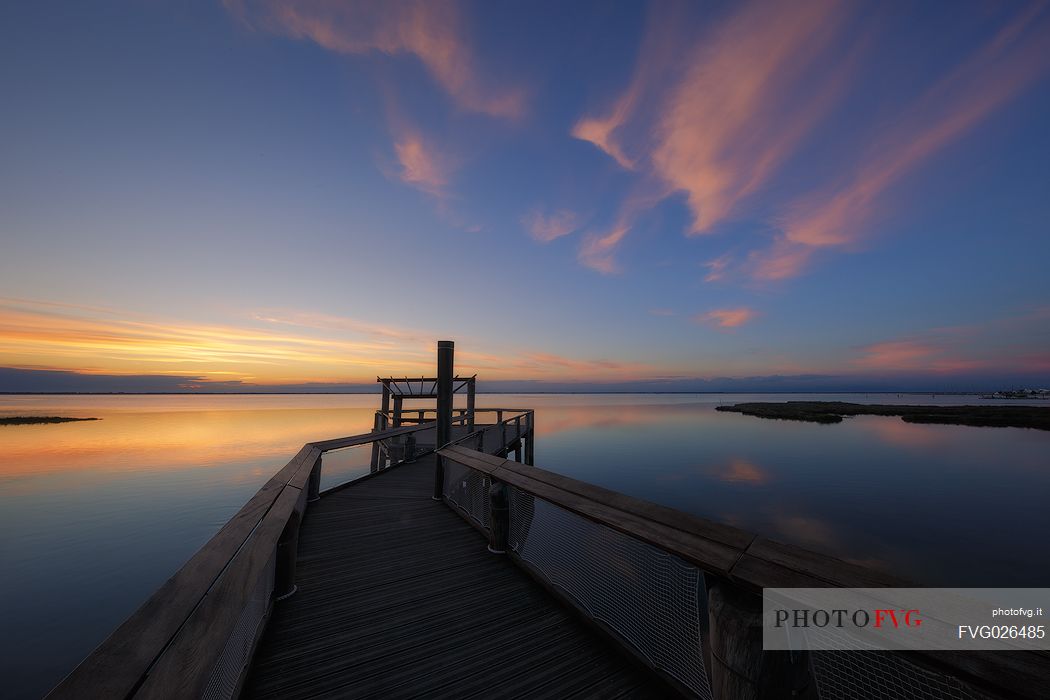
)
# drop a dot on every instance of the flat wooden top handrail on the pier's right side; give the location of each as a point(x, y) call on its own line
point(747, 561)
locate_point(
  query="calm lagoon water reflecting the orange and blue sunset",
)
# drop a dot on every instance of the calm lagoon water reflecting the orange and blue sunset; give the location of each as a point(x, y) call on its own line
point(96, 516)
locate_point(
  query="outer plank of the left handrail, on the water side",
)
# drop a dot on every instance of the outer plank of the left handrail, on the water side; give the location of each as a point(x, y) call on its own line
point(117, 668)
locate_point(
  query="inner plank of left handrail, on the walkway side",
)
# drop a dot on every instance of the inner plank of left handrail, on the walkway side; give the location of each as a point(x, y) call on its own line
point(186, 667)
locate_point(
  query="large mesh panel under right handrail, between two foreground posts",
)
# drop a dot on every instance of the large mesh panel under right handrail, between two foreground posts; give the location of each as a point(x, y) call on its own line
point(649, 598)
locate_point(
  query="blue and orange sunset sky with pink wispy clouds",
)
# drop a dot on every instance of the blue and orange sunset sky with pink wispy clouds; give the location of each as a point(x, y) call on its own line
point(697, 196)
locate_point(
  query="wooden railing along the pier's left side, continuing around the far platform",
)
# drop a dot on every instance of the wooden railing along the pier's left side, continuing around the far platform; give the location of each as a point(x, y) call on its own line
point(195, 638)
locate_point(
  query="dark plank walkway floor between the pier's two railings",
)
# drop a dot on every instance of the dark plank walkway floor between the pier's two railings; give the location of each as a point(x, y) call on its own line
point(398, 598)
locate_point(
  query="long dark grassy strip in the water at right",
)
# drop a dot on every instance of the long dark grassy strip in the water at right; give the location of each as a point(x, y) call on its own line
point(833, 412)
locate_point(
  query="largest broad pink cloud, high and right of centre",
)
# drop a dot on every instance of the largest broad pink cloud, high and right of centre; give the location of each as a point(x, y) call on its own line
point(750, 95)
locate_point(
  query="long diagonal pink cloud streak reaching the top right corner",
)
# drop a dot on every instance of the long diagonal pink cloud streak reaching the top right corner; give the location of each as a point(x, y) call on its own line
point(841, 215)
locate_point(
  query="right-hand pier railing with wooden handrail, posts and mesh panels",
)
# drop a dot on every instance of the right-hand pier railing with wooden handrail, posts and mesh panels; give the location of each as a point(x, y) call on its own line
point(684, 593)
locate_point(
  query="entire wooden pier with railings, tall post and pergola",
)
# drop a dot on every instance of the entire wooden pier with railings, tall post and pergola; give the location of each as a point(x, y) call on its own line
point(457, 568)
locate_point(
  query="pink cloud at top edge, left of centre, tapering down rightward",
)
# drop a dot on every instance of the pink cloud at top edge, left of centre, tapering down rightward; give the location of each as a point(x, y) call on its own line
point(431, 31)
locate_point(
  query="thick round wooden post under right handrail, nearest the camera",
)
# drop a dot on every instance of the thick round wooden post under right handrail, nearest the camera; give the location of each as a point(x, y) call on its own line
point(740, 669)
